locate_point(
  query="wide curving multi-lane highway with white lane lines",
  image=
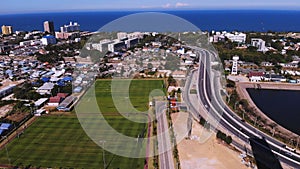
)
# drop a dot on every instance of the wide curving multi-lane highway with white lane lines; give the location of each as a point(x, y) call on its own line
point(210, 97)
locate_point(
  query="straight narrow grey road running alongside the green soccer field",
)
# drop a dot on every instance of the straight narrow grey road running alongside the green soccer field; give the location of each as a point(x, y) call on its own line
point(164, 142)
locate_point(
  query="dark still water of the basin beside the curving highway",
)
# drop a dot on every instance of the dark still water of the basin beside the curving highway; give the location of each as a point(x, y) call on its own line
point(282, 106)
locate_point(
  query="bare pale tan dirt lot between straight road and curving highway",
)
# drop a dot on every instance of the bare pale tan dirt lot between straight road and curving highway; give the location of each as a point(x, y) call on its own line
point(209, 154)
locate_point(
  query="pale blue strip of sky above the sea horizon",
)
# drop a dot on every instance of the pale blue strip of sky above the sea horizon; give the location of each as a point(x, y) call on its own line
point(25, 6)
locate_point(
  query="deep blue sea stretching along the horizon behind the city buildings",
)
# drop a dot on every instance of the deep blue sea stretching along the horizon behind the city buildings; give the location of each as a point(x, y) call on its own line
point(241, 20)
